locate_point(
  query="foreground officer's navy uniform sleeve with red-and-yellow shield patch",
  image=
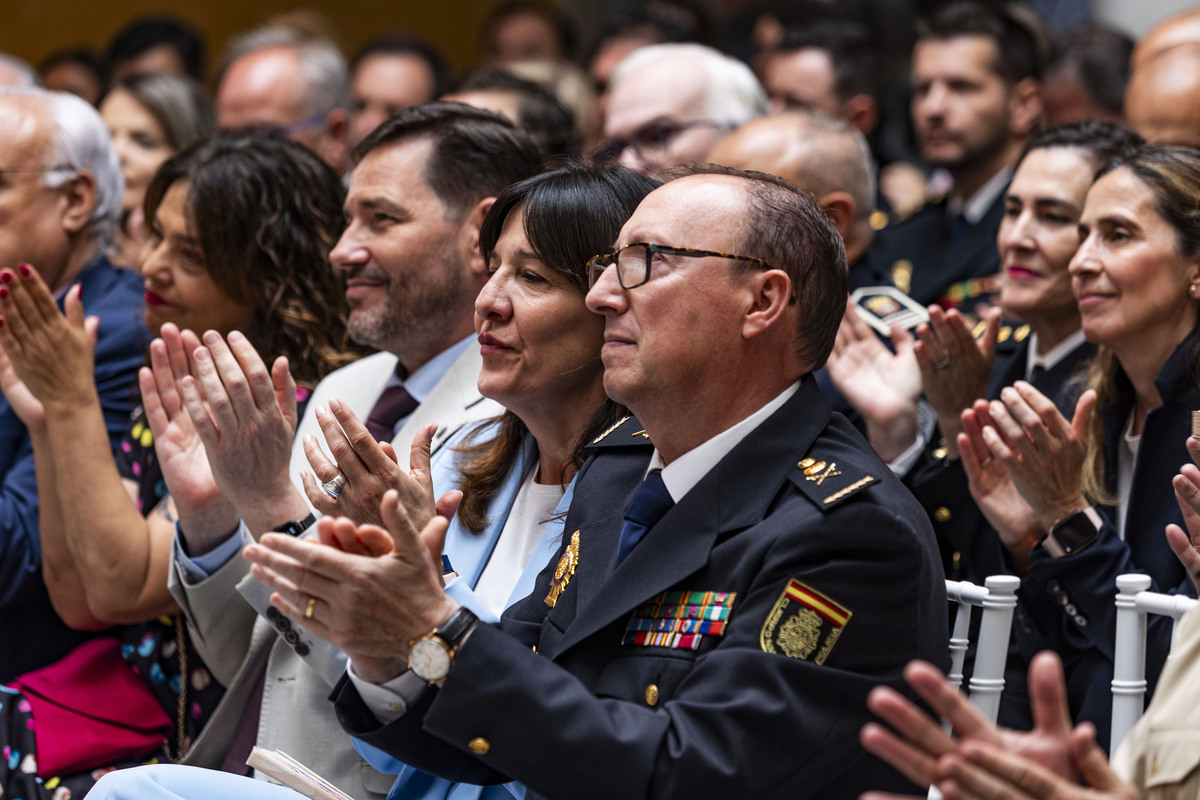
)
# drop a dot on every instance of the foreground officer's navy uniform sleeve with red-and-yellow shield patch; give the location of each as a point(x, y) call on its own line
point(761, 713)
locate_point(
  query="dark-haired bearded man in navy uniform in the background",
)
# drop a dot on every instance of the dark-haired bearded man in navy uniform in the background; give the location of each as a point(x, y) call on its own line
point(976, 103)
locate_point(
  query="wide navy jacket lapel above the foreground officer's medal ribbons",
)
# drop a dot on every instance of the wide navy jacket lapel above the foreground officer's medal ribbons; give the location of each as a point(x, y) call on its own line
point(728, 500)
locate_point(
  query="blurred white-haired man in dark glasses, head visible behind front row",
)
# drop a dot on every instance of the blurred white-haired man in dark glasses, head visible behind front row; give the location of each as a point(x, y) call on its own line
point(671, 104)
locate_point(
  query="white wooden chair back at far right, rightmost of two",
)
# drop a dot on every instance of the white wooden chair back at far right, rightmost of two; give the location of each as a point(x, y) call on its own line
point(1135, 603)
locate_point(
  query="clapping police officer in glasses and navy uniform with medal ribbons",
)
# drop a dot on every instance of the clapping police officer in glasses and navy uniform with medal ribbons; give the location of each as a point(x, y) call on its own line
point(717, 615)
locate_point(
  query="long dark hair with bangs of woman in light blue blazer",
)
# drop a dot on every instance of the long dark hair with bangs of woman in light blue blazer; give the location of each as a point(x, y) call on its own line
point(571, 215)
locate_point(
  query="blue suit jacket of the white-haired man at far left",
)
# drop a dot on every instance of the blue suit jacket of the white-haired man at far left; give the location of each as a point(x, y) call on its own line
point(32, 634)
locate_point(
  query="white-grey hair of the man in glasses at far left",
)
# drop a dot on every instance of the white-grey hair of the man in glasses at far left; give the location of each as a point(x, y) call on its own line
point(81, 142)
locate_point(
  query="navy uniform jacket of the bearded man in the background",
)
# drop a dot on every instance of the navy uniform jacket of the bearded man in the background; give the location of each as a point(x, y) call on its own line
point(920, 257)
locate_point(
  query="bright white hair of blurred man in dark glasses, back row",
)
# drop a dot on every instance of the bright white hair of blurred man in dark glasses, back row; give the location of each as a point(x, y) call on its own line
point(731, 92)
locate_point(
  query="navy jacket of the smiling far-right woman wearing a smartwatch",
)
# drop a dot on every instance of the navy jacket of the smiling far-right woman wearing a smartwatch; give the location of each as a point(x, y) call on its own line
point(1069, 603)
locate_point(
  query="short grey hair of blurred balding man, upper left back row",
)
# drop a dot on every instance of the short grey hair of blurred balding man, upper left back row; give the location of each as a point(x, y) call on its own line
point(327, 80)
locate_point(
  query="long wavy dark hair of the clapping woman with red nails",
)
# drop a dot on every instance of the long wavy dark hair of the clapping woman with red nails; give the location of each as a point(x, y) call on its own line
point(267, 214)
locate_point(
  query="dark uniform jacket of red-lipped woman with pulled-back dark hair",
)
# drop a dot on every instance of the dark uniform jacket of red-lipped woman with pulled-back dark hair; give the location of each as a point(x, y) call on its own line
point(971, 550)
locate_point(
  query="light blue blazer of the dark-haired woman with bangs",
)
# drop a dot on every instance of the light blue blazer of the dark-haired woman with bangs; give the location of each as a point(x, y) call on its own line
point(469, 556)
